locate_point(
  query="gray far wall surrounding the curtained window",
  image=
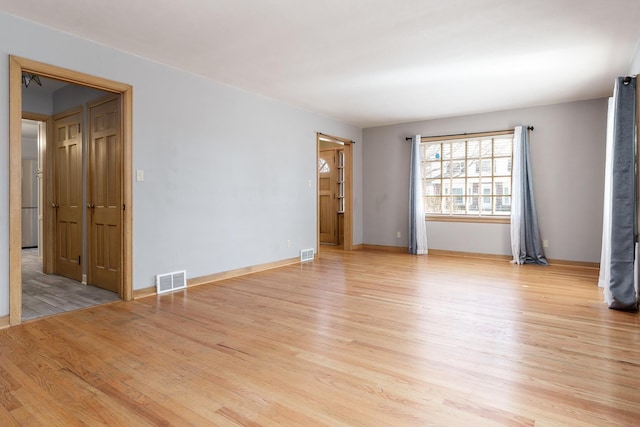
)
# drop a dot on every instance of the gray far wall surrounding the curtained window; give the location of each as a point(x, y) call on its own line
point(567, 149)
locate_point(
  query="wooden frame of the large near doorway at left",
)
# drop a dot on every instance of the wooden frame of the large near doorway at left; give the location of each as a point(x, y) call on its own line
point(17, 65)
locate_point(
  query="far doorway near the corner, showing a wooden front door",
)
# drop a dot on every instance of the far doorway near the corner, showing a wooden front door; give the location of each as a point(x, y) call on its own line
point(334, 193)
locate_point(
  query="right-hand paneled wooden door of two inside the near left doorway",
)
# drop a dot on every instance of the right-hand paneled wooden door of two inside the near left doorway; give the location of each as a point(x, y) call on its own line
point(104, 198)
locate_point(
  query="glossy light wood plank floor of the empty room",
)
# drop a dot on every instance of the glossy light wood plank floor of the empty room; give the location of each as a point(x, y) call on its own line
point(359, 339)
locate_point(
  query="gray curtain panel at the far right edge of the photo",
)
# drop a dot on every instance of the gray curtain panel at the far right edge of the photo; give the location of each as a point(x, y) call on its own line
point(623, 215)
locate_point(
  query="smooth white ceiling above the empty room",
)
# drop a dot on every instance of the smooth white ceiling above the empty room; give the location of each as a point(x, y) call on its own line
point(373, 62)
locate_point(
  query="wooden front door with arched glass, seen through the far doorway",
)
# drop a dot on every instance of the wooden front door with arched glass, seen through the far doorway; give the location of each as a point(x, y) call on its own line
point(327, 196)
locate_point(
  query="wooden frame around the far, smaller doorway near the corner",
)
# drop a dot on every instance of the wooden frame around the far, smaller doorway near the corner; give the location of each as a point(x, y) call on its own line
point(348, 190)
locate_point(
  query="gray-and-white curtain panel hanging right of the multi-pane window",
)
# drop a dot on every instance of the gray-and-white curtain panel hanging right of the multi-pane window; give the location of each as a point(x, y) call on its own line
point(531, 251)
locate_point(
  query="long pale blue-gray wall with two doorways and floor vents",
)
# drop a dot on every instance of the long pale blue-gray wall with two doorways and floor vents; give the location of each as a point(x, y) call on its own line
point(226, 171)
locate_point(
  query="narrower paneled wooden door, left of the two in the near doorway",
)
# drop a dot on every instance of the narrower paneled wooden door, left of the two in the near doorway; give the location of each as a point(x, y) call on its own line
point(67, 198)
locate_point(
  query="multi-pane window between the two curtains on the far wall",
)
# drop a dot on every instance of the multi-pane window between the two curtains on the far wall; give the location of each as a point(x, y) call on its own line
point(468, 176)
